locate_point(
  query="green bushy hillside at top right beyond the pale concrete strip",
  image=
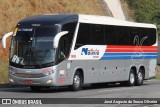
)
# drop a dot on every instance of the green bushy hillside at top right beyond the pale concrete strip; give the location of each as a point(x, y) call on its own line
point(146, 11)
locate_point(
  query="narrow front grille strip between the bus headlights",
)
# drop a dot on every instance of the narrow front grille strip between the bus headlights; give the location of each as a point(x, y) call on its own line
point(29, 75)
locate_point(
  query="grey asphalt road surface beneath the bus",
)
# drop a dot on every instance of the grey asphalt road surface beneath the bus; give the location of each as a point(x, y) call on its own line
point(150, 89)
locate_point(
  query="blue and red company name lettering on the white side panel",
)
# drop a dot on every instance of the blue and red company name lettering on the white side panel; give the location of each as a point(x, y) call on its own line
point(86, 51)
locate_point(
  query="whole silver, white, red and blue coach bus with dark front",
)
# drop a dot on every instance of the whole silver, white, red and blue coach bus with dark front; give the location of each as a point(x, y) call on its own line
point(75, 49)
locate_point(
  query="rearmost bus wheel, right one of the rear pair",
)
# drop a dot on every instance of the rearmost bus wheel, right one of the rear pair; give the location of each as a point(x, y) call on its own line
point(140, 77)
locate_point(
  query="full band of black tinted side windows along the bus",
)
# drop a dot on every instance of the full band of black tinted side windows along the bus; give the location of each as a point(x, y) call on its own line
point(93, 34)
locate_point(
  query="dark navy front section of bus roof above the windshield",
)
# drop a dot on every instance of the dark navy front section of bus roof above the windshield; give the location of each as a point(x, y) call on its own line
point(48, 19)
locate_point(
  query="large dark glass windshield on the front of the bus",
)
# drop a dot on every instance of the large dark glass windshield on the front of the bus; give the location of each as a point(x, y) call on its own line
point(33, 46)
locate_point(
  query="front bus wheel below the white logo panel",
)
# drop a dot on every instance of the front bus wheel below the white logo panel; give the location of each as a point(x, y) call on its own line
point(77, 82)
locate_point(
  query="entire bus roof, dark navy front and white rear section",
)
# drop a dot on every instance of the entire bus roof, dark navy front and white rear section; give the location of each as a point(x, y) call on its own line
point(51, 19)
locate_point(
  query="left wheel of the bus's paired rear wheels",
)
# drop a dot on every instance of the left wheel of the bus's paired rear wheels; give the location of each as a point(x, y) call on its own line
point(131, 80)
